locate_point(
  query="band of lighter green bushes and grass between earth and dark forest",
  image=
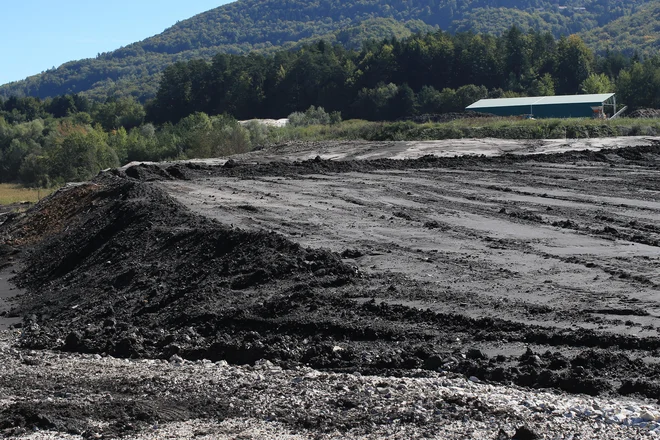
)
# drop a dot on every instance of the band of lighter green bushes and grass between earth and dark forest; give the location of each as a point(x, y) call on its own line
point(49, 152)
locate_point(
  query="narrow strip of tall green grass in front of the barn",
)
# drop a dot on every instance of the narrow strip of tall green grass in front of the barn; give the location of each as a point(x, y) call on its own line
point(503, 128)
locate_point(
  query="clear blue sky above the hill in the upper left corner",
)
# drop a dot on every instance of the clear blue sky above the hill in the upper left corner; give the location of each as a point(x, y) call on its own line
point(36, 35)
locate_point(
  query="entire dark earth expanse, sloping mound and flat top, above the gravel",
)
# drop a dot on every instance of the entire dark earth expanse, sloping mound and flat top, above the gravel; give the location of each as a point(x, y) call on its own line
point(539, 271)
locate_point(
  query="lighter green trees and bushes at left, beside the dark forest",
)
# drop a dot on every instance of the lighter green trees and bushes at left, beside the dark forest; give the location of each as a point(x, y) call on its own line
point(68, 138)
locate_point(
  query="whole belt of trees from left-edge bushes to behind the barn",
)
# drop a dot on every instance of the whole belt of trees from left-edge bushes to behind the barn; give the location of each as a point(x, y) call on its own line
point(195, 111)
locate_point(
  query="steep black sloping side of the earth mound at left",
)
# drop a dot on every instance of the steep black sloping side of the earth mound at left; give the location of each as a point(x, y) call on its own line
point(133, 272)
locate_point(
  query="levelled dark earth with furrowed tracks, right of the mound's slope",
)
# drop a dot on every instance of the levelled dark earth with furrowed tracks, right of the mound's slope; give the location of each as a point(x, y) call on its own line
point(538, 270)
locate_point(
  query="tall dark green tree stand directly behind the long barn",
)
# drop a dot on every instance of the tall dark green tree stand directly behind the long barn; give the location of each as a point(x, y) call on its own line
point(390, 79)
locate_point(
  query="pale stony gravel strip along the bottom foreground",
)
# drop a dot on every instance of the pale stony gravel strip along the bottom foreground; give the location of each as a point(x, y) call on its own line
point(268, 402)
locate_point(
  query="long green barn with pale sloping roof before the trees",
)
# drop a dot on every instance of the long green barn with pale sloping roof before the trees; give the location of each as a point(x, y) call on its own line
point(564, 106)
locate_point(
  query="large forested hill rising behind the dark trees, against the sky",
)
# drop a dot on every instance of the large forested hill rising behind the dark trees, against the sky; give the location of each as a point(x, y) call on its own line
point(267, 25)
